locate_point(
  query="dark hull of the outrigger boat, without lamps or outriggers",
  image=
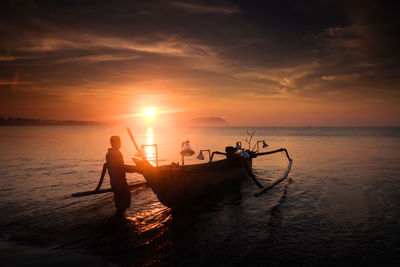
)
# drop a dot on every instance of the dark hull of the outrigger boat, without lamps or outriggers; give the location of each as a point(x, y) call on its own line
point(177, 185)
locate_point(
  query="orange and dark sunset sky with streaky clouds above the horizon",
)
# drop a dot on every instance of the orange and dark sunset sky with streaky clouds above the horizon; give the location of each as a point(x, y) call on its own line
point(252, 63)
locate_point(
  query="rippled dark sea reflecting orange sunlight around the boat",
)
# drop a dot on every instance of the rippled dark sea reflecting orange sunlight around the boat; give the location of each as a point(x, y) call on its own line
point(341, 205)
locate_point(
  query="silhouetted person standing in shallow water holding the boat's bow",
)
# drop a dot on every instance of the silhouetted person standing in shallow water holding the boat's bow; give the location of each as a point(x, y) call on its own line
point(117, 172)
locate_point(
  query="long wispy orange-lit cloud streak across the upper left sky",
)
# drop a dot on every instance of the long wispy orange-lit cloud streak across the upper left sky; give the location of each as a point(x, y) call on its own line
point(62, 45)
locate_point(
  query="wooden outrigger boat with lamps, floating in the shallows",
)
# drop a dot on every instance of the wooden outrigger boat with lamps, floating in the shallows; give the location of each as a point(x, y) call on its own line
point(176, 185)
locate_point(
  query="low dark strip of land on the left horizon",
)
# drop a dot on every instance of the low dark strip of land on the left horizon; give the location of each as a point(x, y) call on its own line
point(38, 122)
